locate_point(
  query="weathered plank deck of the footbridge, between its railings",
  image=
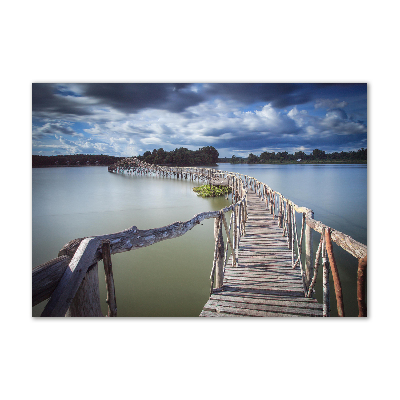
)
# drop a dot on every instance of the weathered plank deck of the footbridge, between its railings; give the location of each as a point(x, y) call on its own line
point(264, 283)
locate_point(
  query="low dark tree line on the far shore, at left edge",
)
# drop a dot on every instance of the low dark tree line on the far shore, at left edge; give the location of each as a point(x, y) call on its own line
point(73, 160)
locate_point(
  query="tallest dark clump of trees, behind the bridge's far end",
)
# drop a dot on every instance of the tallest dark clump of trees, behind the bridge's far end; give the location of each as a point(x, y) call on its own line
point(182, 156)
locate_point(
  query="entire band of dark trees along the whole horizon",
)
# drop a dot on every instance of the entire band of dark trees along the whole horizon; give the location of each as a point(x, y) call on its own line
point(205, 156)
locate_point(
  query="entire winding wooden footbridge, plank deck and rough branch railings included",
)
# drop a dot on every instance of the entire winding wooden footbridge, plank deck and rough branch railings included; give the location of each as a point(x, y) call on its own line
point(265, 268)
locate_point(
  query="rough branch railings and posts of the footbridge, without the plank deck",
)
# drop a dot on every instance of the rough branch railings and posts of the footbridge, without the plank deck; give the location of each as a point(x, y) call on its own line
point(70, 275)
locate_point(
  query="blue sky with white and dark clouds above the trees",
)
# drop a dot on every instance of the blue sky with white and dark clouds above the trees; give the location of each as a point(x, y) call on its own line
point(237, 119)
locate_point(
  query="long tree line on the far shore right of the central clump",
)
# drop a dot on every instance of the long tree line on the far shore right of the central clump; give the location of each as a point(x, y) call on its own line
point(317, 156)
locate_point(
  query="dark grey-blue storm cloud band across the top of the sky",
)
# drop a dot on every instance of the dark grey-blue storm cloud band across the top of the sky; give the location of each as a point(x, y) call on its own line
point(130, 98)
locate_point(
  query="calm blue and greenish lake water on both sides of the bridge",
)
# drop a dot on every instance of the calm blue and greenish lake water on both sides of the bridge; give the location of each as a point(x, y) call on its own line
point(171, 278)
